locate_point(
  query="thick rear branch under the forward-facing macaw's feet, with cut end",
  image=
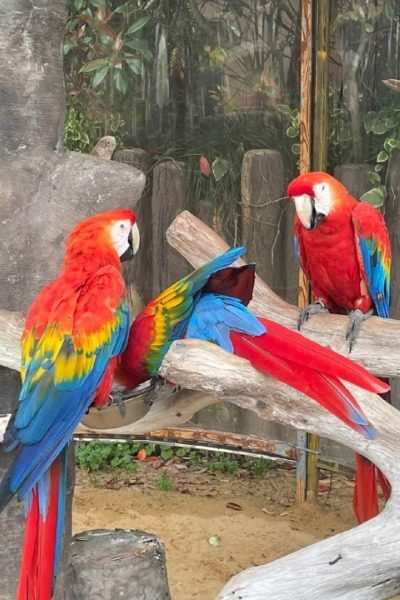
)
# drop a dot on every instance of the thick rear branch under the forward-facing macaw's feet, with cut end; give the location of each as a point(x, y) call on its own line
point(377, 347)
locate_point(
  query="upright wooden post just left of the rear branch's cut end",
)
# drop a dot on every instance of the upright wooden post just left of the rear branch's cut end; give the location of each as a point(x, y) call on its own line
point(167, 201)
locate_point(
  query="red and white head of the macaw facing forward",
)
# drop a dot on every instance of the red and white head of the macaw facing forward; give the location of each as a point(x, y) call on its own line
point(316, 195)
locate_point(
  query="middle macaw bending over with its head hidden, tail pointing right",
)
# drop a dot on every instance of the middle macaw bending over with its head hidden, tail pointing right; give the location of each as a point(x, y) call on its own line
point(210, 304)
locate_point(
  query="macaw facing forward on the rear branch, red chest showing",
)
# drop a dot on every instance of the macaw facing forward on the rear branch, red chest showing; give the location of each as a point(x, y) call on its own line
point(343, 247)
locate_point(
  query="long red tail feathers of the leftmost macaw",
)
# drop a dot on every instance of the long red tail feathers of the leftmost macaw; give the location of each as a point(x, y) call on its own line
point(38, 553)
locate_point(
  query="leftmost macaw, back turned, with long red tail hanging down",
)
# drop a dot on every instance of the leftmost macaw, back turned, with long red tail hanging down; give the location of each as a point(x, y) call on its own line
point(73, 329)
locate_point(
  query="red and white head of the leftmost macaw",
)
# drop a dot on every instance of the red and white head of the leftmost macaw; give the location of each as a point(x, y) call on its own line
point(112, 235)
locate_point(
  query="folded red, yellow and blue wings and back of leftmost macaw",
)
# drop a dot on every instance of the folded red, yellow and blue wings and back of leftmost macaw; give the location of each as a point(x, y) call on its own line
point(69, 338)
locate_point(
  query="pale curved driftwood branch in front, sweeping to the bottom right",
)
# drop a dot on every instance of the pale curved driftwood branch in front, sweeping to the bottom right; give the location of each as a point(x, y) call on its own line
point(358, 564)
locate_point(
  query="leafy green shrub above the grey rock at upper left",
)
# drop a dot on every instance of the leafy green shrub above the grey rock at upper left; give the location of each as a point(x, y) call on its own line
point(105, 49)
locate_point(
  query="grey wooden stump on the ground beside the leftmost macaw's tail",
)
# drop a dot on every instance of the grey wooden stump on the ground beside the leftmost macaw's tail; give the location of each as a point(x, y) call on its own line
point(120, 563)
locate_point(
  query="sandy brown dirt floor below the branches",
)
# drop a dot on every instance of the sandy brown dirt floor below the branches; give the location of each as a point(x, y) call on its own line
point(213, 525)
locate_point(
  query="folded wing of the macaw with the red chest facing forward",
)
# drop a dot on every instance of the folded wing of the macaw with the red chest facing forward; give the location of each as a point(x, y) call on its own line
point(374, 254)
